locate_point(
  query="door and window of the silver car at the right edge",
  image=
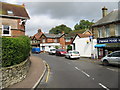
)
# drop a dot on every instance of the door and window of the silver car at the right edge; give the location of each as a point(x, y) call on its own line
point(115, 58)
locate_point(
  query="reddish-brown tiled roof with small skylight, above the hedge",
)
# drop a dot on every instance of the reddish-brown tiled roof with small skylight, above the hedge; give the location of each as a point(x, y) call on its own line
point(17, 10)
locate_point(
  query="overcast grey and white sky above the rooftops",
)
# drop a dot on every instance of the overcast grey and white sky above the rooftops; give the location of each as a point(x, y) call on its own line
point(46, 14)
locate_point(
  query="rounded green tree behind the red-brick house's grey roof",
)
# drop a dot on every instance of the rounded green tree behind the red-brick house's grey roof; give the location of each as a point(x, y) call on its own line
point(59, 29)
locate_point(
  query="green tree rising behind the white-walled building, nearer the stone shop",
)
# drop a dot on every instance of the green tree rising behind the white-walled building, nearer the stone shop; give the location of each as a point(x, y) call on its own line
point(83, 24)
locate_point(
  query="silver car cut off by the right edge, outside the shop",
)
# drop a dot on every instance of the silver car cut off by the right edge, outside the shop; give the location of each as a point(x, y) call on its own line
point(112, 58)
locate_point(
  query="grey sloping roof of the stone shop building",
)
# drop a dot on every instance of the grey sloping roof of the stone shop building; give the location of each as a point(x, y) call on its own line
point(111, 17)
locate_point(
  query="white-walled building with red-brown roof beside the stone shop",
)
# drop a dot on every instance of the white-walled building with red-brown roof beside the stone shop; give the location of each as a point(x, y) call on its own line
point(84, 44)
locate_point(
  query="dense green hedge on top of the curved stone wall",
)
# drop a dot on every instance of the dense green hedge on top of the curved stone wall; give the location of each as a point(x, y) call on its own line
point(15, 50)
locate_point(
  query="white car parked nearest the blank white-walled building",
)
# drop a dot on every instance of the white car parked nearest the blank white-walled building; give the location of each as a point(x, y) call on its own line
point(72, 54)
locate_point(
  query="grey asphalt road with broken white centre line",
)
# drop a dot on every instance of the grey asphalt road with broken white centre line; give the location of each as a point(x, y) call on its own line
point(82, 73)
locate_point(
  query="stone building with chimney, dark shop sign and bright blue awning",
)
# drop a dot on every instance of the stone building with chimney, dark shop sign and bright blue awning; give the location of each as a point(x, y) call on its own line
point(107, 32)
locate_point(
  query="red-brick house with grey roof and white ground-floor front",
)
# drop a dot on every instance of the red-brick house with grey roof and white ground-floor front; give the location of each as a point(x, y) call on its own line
point(48, 41)
